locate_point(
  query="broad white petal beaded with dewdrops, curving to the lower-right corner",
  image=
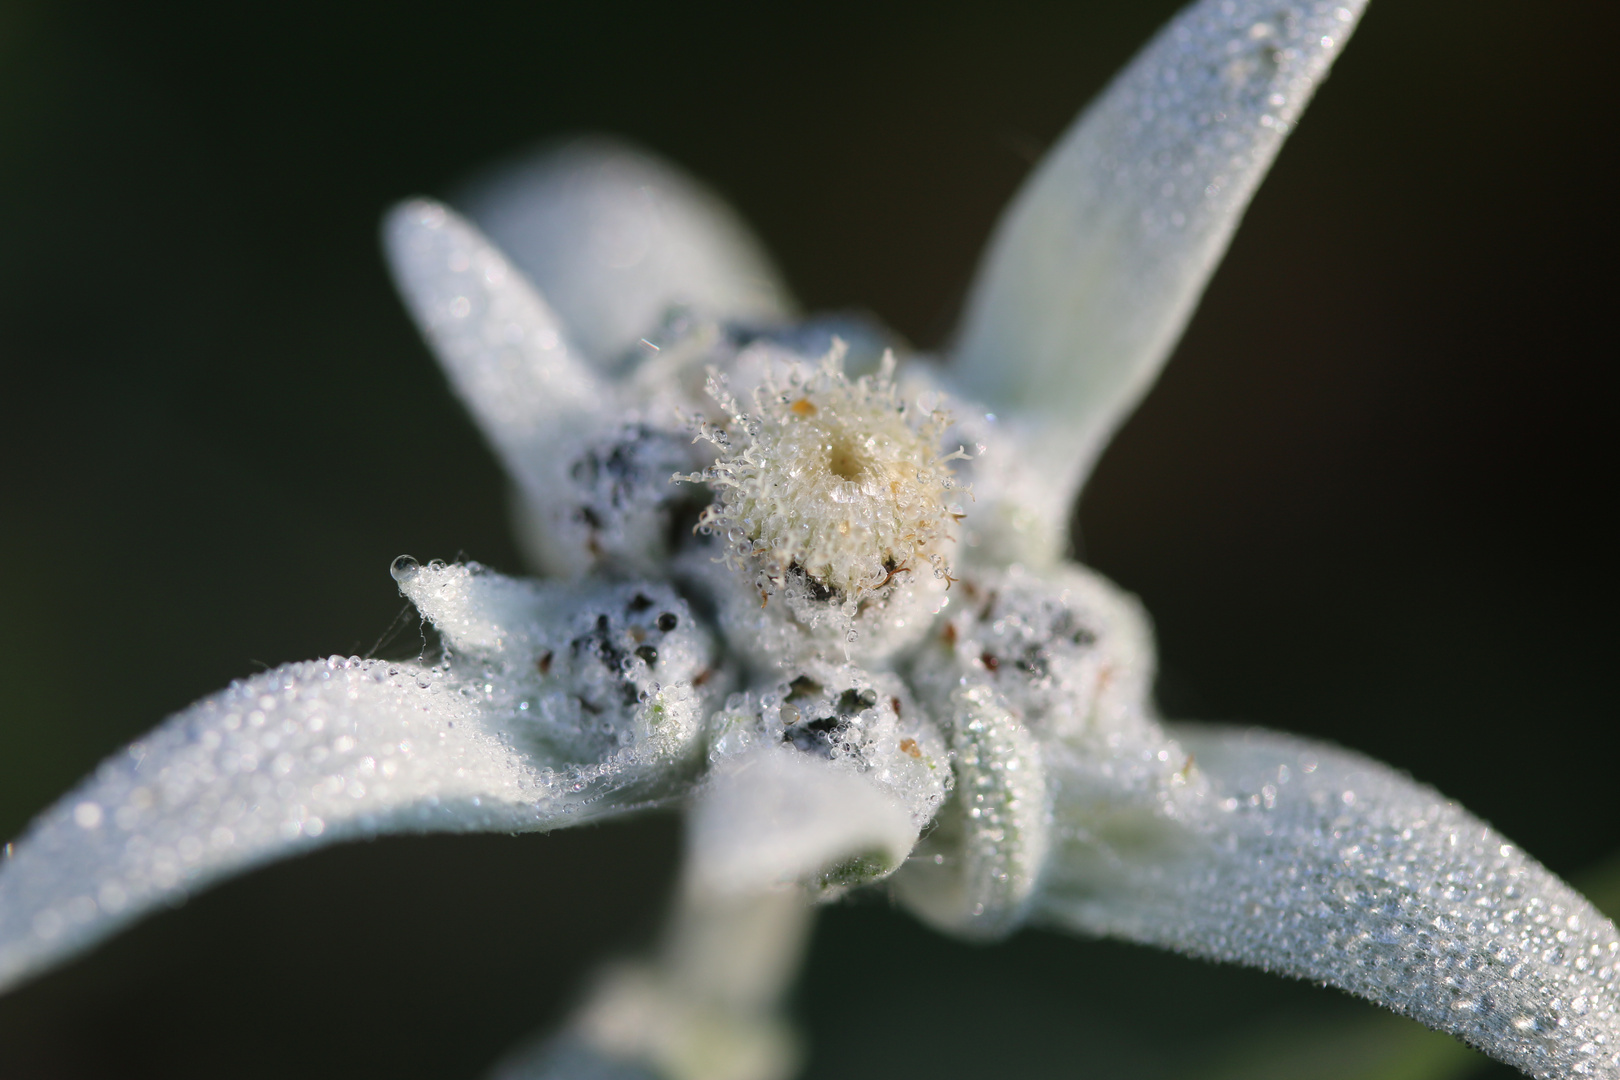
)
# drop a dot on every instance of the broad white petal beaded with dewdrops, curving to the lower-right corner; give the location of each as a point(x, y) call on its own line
point(1316, 862)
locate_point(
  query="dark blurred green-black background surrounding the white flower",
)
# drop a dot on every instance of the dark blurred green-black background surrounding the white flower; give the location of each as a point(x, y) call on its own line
point(1363, 504)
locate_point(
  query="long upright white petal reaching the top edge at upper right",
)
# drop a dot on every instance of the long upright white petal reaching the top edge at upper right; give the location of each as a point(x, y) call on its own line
point(1099, 263)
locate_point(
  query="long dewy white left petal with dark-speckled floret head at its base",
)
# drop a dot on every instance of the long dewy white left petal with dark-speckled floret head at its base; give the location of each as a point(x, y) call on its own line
point(556, 704)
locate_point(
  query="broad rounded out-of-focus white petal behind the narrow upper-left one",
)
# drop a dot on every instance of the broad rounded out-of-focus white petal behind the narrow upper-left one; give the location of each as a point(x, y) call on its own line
point(616, 239)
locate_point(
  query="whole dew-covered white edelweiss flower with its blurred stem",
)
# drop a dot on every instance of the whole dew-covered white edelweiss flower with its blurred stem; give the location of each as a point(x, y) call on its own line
point(814, 592)
